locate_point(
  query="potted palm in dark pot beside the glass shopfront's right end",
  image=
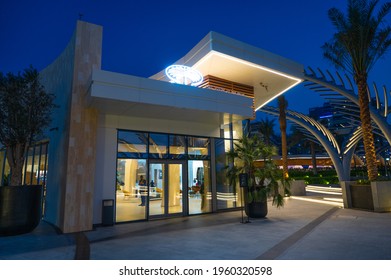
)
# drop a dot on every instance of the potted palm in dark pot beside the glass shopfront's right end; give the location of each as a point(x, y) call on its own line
point(264, 182)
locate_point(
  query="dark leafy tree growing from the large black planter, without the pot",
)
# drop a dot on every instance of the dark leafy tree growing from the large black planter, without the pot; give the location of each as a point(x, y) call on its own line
point(25, 113)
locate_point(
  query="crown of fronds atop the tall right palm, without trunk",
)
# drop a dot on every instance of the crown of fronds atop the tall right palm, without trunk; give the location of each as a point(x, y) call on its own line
point(361, 36)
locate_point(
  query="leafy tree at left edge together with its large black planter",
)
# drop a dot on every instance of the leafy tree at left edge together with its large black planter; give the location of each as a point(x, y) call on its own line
point(25, 112)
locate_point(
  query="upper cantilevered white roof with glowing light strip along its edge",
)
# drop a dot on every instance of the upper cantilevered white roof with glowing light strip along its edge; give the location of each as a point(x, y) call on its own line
point(218, 55)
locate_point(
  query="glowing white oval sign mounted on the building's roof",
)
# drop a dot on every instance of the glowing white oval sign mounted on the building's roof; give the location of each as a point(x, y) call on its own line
point(184, 75)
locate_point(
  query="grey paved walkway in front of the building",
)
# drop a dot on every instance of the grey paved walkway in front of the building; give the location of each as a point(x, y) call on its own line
point(302, 230)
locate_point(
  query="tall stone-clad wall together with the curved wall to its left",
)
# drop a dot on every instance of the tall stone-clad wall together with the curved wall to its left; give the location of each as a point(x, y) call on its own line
point(72, 157)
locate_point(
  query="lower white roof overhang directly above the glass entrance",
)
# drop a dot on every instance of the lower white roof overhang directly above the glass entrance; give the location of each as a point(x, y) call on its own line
point(120, 94)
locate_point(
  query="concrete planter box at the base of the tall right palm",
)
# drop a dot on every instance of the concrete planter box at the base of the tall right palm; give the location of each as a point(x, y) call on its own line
point(375, 197)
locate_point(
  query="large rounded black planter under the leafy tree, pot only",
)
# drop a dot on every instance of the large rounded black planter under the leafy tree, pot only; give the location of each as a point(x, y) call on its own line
point(20, 209)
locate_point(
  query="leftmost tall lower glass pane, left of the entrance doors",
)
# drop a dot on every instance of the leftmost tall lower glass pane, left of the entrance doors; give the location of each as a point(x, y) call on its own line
point(130, 190)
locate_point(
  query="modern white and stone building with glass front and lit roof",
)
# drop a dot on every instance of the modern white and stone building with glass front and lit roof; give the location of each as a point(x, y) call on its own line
point(151, 147)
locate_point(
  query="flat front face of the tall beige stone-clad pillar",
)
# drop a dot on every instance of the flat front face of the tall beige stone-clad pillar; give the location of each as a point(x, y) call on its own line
point(82, 132)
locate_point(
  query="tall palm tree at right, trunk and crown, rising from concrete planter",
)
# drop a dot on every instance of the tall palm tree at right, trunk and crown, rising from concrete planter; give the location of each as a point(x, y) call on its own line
point(360, 40)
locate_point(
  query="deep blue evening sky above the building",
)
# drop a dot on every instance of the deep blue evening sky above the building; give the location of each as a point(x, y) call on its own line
point(143, 37)
